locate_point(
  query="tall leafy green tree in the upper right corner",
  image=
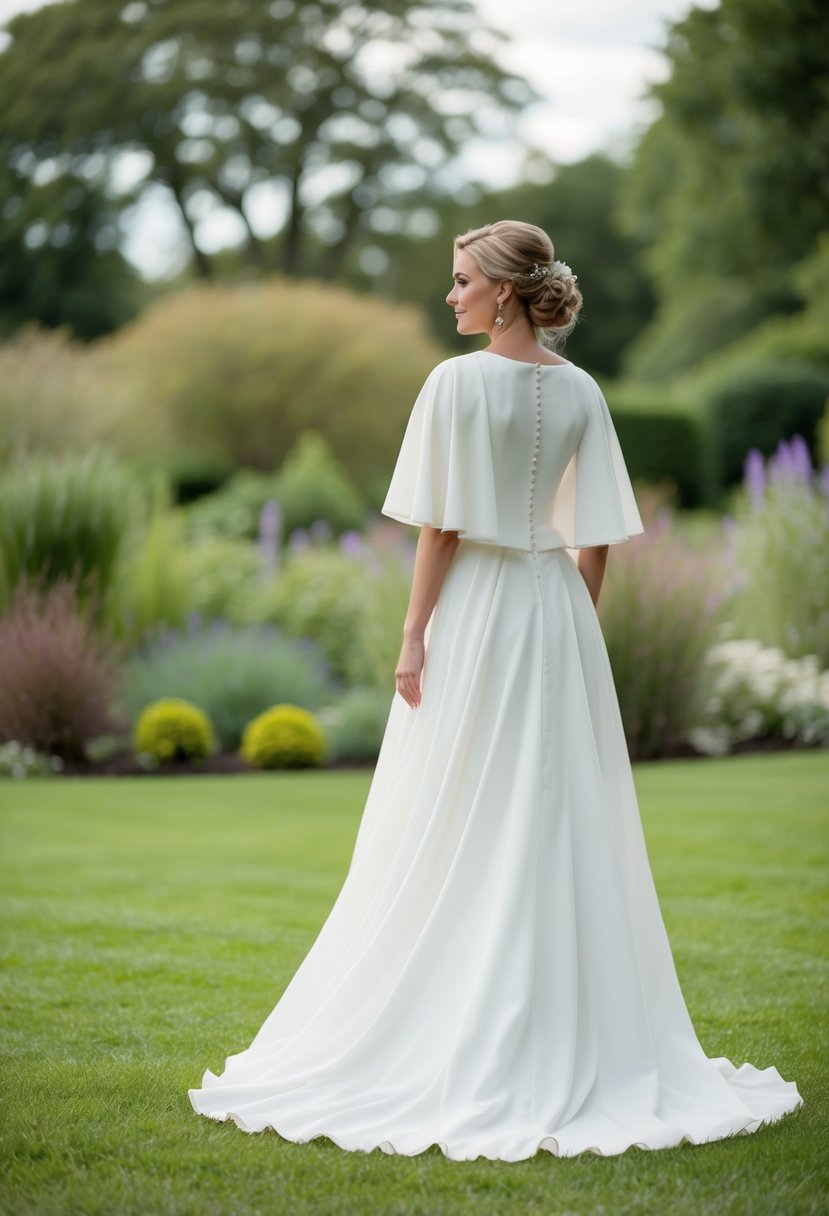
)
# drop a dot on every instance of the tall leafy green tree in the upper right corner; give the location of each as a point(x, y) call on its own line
point(730, 188)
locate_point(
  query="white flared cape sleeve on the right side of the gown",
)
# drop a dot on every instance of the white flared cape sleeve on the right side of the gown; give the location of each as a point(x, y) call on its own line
point(595, 502)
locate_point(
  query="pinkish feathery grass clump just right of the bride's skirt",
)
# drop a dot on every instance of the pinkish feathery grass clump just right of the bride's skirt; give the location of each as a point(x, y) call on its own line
point(659, 606)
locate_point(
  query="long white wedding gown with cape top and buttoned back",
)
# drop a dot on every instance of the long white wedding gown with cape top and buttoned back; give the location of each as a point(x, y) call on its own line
point(495, 977)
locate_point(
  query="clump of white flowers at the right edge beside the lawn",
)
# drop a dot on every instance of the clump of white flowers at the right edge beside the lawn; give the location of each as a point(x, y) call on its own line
point(758, 693)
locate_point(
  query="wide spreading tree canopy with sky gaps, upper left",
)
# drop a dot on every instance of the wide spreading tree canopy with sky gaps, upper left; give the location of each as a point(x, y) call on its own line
point(348, 115)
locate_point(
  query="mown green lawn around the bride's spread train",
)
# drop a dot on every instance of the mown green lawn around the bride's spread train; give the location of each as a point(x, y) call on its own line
point(150, 925)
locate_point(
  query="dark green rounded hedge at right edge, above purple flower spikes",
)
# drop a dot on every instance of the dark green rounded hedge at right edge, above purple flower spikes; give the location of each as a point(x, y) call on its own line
point(760, 406)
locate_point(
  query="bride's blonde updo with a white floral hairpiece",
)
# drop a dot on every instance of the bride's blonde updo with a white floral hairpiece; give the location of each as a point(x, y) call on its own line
point(525, 255)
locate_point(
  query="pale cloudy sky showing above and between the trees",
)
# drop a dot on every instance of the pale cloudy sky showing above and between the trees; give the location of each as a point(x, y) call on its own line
point(591, 63)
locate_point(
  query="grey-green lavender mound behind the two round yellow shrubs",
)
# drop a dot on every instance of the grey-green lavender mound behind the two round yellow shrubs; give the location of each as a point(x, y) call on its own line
point(234, 674)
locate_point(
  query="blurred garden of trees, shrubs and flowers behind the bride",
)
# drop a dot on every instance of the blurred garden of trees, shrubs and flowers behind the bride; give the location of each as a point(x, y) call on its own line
point(194, 568)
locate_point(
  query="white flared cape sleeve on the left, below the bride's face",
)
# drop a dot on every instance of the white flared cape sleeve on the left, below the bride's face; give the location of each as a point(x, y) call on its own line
point(444, 472)
